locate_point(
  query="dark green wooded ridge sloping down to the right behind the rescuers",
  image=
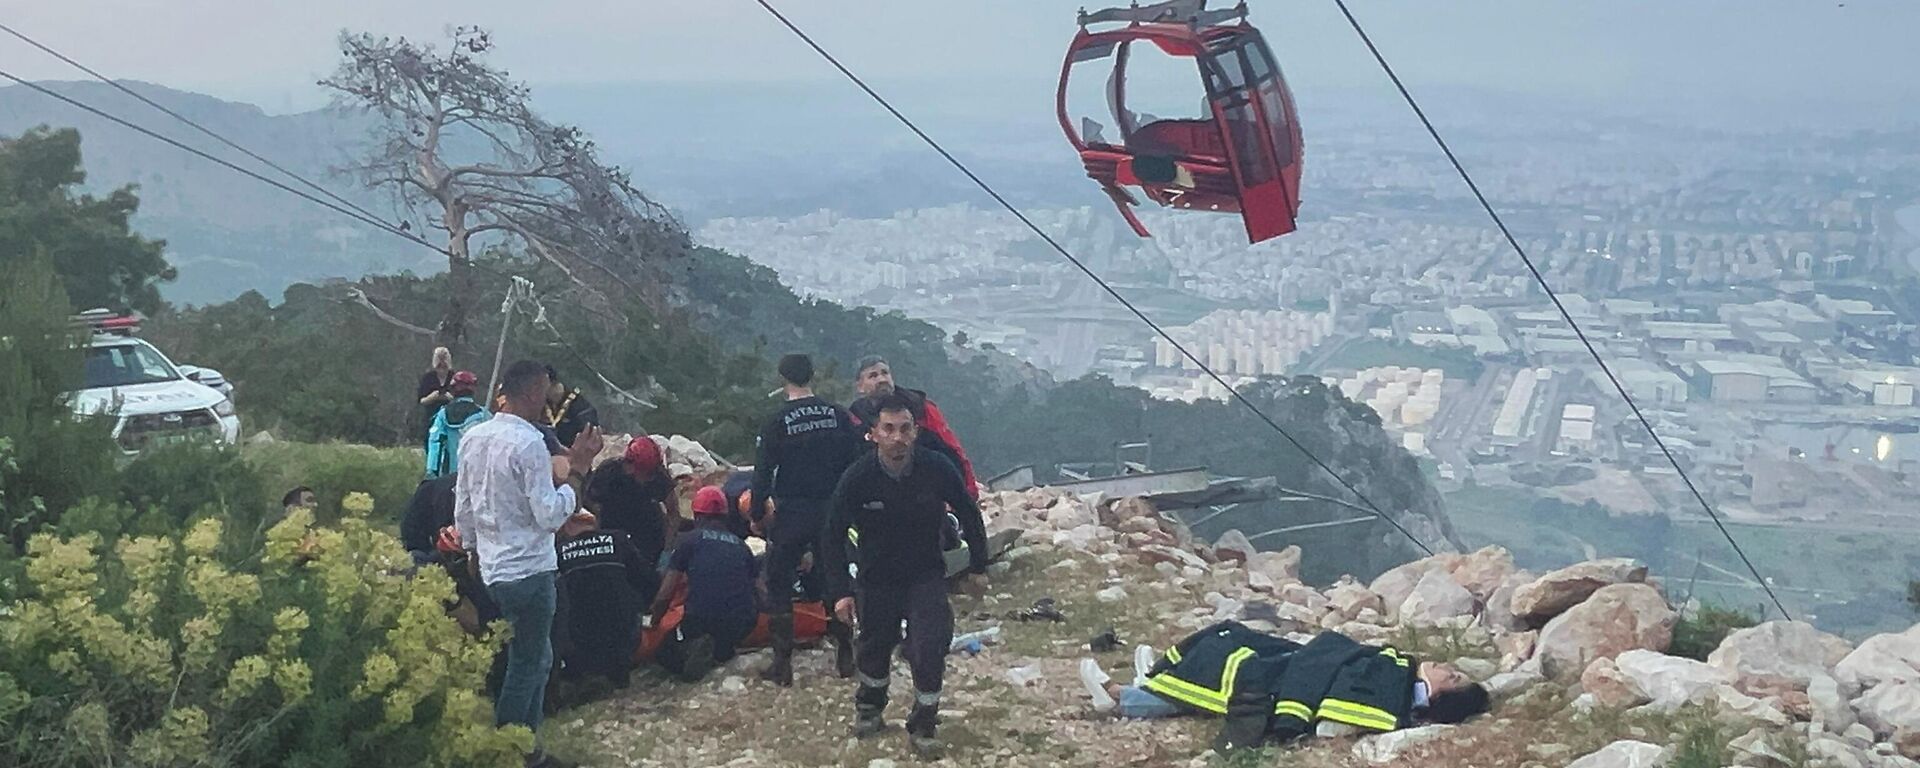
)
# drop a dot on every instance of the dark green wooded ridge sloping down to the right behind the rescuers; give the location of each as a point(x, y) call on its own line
point(709, 370)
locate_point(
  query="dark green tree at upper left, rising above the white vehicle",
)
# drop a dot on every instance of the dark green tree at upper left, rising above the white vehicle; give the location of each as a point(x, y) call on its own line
point(89, 241)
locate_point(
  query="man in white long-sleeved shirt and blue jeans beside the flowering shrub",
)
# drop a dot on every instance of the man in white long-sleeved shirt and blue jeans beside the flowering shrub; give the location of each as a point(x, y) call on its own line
point(508, 508)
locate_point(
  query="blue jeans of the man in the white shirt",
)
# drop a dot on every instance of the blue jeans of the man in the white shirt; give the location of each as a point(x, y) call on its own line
point(527, 606)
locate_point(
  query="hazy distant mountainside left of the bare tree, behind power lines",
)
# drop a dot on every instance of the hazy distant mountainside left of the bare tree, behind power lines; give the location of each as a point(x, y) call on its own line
point(228, 235)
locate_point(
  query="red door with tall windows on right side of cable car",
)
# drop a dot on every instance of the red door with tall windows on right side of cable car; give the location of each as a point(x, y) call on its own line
point(1255, 110)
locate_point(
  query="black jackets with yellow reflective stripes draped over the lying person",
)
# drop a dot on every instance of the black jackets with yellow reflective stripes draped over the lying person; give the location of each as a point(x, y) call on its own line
point(1245, 675)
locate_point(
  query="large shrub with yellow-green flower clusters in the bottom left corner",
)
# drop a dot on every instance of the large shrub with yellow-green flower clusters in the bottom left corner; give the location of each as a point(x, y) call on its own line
point(316, 652)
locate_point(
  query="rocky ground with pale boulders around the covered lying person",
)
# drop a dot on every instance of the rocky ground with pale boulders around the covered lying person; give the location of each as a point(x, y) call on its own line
point(1575, 660)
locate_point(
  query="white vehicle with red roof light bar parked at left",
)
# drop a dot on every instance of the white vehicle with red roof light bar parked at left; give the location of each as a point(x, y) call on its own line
point(151, 400)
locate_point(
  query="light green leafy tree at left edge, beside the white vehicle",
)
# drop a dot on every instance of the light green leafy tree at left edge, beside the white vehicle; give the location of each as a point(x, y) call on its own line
point(53, 458)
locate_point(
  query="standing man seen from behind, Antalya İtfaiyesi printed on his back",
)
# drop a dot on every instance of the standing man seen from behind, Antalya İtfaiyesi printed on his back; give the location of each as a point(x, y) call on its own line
point(804, 452)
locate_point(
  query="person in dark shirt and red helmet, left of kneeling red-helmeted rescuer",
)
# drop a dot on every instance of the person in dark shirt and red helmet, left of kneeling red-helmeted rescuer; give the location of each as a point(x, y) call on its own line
point(631, 494)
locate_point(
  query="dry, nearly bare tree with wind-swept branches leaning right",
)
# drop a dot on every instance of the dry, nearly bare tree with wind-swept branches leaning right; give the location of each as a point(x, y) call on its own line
point(464, 151)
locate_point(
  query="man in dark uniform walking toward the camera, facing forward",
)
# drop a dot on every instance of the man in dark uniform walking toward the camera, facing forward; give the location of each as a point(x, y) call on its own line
point(898, 498)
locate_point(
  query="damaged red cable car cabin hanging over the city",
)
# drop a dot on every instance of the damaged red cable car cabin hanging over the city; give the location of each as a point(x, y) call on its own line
point(1243, 156)
